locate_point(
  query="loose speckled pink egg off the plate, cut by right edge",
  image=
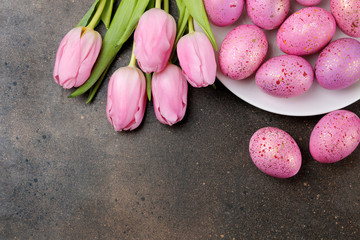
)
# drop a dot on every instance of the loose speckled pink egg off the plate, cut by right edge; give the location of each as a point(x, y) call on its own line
point(335, 136)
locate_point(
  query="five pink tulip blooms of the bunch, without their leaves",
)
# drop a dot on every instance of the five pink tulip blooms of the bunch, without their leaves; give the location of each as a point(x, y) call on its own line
point(154, 42)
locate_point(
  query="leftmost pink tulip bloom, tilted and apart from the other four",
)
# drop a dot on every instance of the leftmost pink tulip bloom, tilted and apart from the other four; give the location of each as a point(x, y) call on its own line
point(76, 56)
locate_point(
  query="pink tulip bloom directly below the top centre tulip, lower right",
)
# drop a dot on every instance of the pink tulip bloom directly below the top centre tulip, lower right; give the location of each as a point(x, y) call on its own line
point(169, 90)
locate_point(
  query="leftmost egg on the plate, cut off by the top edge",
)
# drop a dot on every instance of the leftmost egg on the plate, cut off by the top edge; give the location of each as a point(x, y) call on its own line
point(225, 12)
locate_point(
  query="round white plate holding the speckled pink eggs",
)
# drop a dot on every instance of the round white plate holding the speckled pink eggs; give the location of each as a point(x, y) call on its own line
point(316, 101)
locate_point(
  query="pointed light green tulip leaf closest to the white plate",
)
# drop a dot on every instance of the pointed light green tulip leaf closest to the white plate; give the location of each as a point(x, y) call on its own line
point(197, 11)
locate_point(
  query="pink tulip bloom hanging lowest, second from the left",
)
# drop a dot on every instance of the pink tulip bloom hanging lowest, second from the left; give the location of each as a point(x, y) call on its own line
point(126, 99)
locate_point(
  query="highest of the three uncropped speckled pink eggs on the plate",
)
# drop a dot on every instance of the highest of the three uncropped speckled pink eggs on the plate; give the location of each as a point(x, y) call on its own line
point(307, 31)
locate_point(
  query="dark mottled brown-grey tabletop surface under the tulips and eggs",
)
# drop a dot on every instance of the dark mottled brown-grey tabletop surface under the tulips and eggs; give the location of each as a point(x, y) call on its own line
point(66, 174)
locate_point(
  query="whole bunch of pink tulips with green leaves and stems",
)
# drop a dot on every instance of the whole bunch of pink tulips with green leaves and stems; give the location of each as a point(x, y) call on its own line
point(84, 58)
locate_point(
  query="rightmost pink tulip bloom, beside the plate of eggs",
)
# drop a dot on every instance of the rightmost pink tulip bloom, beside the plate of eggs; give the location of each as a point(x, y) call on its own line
point(197, 59)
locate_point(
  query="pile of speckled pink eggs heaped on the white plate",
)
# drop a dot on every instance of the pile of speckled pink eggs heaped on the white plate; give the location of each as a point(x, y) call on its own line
point(305, 32)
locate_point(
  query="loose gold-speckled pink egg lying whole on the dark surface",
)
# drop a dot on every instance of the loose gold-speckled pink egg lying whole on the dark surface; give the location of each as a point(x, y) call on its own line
point(275, 152)
